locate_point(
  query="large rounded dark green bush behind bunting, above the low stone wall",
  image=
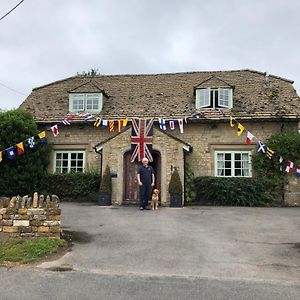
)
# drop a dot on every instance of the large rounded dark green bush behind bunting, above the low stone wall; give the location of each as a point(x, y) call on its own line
point(25, 173)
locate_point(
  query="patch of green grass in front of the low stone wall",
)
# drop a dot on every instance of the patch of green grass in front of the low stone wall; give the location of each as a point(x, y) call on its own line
point(28, 250)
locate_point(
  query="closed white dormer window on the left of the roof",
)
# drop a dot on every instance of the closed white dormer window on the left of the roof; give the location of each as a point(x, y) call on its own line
point(85, 102)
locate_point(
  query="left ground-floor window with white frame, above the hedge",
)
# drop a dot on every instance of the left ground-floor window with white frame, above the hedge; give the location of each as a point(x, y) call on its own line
point(68, 161)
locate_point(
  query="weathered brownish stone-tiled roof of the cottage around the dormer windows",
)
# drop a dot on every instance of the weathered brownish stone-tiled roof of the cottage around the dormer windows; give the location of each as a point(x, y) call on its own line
point(256, 95)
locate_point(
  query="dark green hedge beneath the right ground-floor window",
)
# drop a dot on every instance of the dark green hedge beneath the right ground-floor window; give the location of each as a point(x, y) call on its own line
point(232, 191)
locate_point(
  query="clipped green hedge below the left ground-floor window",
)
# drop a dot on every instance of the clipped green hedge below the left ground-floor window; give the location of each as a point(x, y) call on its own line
point(73, 186)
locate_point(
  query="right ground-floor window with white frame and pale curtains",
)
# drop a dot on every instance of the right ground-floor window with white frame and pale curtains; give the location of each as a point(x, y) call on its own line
point(233, 164)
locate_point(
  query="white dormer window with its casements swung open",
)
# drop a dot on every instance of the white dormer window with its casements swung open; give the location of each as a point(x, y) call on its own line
point(213, 98)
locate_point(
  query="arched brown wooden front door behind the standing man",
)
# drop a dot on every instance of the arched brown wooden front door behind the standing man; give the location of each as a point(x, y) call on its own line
point(131, 188)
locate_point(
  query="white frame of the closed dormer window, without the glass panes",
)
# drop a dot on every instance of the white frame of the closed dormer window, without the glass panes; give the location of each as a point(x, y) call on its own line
point(85, 97)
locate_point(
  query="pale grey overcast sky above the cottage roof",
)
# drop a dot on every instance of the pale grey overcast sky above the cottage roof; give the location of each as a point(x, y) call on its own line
point(46, 40)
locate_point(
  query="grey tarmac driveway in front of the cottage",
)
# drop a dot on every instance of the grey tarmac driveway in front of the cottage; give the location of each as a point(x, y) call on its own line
point(261, 244)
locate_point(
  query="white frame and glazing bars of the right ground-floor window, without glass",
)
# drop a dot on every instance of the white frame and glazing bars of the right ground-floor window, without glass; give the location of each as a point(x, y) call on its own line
point(232, 163)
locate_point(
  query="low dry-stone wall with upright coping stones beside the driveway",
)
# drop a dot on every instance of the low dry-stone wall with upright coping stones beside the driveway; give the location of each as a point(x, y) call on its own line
point(36, 216)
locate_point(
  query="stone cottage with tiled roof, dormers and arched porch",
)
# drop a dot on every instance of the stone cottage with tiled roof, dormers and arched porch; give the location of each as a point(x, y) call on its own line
point(263, 103)
